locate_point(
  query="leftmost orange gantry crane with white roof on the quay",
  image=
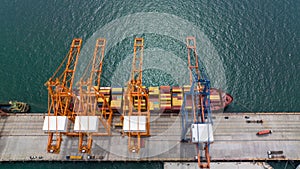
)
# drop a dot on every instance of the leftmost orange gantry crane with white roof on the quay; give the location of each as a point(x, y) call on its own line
point(60, 97)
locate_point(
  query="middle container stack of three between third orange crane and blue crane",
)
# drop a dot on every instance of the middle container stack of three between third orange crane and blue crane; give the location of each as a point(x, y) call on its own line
point(165, 98)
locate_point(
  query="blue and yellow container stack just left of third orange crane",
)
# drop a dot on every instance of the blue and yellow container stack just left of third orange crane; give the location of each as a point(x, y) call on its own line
point(116, 99)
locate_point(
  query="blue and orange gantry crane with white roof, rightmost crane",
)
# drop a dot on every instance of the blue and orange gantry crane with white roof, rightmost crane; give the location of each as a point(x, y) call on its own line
point(198, 119)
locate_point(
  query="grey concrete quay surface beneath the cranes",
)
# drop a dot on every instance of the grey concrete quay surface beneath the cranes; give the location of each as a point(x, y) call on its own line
point(235, 139)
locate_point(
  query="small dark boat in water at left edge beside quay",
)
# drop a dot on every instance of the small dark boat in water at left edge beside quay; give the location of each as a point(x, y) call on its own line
point(14, 107)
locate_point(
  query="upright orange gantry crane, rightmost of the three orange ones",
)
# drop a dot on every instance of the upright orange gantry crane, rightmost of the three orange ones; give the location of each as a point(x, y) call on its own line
point(136, 110)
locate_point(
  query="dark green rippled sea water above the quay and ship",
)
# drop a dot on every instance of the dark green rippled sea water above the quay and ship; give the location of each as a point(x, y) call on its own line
point(249, 48)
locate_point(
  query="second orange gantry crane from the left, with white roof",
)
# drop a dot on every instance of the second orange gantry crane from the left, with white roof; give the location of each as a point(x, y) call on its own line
point(90, 108)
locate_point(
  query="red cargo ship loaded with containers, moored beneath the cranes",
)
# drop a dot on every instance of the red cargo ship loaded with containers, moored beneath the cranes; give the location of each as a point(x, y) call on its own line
point(164, 99)
